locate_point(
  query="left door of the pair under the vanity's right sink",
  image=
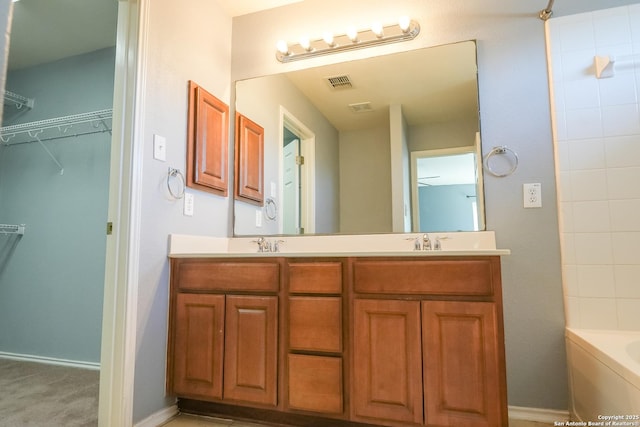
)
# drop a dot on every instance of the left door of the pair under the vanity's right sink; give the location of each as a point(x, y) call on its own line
point(387, 367)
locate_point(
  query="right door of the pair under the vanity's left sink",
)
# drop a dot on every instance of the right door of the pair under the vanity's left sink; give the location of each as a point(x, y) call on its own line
point(251, 340)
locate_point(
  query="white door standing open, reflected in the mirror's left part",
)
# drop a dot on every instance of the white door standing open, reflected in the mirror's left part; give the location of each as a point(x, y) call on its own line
point(291, 188)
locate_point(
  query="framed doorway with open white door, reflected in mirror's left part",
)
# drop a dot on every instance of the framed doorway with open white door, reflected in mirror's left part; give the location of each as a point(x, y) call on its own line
point(297, 176)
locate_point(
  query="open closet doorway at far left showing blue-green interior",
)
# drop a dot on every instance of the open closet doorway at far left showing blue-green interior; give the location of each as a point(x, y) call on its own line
point(55, 160)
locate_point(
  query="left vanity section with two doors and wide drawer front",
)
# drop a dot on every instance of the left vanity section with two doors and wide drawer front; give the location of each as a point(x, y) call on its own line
point(224, 322)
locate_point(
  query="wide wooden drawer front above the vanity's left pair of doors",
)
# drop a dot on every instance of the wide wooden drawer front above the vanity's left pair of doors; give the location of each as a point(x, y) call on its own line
point(234, 276)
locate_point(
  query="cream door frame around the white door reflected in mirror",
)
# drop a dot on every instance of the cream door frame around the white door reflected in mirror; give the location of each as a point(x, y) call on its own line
point(308, 174)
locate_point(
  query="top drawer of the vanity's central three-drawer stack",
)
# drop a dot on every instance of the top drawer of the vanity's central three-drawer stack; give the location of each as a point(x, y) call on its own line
point(315, 277)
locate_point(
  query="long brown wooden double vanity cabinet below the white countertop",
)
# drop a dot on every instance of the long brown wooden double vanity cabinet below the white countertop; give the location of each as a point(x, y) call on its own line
point(397, 339)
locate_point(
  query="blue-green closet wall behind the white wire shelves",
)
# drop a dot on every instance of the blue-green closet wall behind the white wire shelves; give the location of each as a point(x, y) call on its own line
point(52, 281)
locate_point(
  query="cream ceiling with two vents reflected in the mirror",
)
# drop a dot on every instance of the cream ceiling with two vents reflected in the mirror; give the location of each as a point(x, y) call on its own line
point(436, 84)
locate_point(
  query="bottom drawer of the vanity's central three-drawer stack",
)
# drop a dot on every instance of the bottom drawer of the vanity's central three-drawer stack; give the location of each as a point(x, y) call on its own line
point(315, 383)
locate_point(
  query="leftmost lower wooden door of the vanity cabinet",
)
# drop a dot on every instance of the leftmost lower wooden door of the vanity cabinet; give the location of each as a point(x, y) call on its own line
point(199, 335)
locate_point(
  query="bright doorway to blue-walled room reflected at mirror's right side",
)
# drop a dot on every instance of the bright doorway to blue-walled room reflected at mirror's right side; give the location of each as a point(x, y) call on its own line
point(445, 190)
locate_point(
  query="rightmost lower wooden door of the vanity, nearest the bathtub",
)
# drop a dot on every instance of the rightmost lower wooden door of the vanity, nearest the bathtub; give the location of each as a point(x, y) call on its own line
point(461, 364)
